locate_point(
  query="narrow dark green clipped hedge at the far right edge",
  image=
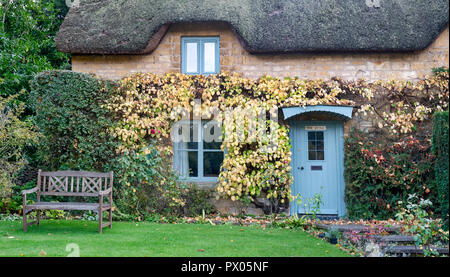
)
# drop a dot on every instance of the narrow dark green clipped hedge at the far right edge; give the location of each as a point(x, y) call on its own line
point(440, 149)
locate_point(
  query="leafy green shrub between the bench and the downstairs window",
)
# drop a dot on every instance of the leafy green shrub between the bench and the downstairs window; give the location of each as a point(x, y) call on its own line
point(148, 186)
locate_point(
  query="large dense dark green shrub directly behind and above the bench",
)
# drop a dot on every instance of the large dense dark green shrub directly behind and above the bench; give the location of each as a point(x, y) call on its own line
point(74, 125)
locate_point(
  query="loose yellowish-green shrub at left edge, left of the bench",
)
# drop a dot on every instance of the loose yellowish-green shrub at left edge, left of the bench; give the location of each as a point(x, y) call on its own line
point(14, 136)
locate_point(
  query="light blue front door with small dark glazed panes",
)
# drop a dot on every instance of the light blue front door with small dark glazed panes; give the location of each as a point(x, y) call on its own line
point(317, 164)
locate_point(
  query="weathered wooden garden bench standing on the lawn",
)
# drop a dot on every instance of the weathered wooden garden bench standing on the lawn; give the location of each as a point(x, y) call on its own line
point(71, 183)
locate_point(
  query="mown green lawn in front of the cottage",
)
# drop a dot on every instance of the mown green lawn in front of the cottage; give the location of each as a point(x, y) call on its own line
point(151, 239)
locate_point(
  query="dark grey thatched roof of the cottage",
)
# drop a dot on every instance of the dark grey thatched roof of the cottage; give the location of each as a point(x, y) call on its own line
point(265, 26)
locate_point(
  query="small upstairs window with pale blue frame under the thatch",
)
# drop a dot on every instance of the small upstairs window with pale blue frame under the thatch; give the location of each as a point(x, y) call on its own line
point(200, 55)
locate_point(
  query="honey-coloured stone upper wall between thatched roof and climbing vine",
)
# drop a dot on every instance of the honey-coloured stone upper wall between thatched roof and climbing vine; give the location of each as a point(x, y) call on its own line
point(233, 57)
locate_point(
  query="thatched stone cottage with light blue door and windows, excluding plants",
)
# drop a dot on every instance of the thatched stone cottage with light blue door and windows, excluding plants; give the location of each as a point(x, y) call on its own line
point(320, 39)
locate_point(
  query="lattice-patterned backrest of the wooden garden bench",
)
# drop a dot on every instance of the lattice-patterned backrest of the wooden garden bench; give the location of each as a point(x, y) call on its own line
point(73, 183)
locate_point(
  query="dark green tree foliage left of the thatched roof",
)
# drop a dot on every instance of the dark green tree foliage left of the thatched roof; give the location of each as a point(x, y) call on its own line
point(27, 31)
